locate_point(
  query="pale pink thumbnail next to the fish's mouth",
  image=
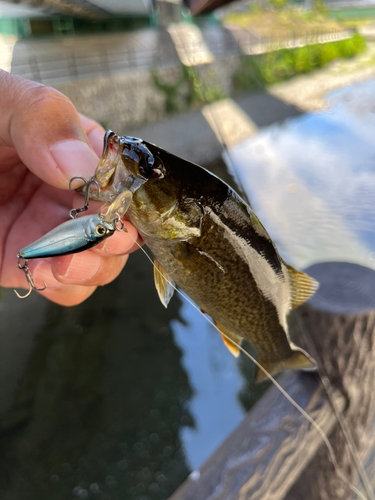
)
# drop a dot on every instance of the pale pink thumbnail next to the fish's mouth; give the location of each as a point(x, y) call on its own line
point(74, 158)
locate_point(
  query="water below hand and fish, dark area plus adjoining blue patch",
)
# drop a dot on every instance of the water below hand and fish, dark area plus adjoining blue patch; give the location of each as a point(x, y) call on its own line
point(102, 400)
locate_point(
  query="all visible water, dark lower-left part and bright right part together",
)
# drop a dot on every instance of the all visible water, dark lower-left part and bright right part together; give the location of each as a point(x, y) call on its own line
point(119, 398)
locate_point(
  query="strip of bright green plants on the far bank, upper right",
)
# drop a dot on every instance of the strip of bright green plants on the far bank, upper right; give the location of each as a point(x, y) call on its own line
point(256, 72)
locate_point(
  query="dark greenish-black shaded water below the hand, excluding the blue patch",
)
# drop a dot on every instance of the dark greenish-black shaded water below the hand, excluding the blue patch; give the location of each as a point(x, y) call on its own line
point(100, 399)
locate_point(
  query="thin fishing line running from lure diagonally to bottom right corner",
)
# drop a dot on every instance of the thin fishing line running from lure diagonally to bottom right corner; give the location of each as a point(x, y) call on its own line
point(316, 426)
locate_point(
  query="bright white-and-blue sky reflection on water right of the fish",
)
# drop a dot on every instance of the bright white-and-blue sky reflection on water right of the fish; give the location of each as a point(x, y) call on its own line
point(312, 180)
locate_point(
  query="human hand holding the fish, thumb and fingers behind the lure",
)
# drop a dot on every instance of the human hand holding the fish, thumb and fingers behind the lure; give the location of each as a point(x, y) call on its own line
point(44, 142)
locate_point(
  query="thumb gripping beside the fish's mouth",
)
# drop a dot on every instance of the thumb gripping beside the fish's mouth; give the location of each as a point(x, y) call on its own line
point(46, 131)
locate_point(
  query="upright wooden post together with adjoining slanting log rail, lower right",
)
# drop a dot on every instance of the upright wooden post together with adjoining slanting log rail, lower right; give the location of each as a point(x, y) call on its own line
point(275, 454)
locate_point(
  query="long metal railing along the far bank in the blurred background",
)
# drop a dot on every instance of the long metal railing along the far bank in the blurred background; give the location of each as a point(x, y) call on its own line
point(79, 64)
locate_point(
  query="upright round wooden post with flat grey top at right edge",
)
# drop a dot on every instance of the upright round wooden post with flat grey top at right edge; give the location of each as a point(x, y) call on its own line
point(344, 342)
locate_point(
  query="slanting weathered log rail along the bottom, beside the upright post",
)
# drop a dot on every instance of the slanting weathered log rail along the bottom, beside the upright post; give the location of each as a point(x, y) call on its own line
point(268, 451)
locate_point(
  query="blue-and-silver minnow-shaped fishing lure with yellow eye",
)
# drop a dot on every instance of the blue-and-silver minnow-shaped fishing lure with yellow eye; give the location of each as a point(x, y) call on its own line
point(72, 236)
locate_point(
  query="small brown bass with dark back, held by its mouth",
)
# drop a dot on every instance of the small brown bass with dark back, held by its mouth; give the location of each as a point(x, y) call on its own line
point(208, 242)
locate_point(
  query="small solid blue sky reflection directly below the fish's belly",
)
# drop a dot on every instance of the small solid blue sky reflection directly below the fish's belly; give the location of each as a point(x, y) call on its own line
point(214, 375)
